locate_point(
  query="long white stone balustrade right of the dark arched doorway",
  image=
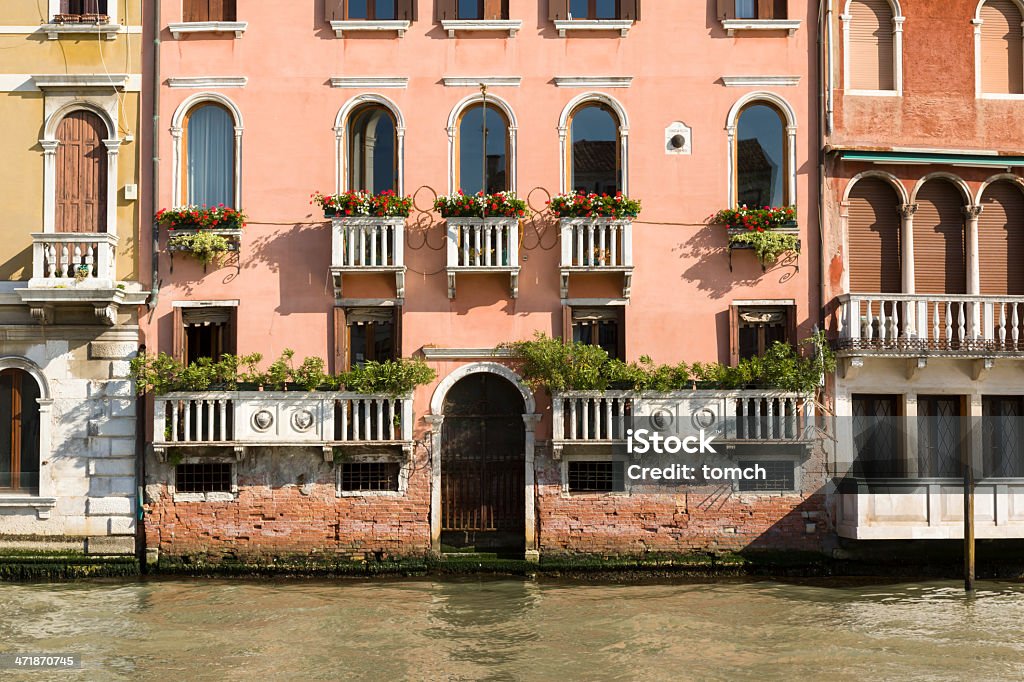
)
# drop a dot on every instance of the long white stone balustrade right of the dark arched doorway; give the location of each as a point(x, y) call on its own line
point(582, 418)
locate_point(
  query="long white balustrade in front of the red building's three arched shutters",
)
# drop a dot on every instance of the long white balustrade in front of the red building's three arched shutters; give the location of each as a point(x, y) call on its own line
point(912, 324)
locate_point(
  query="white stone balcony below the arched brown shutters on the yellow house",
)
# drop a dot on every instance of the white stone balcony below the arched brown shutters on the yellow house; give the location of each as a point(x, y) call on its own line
point(74, 269)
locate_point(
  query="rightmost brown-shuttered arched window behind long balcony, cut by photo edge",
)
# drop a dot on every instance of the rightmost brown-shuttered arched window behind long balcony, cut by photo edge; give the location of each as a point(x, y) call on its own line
point(1001, 240)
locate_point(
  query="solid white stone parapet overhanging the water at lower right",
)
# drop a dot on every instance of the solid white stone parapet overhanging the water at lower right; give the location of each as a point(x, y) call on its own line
point(929, 509)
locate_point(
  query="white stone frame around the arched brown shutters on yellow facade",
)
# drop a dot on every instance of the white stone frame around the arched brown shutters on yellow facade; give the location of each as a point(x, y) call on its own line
point(63, 96)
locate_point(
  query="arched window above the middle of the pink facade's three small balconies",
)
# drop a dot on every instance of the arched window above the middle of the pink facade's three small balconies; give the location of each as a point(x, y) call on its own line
point(478, 169)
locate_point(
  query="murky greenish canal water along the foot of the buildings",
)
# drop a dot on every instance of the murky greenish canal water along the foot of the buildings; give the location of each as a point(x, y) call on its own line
point(517, 630)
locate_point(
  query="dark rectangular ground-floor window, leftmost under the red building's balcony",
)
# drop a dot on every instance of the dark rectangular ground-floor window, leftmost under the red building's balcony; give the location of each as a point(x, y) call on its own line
point(877, 438)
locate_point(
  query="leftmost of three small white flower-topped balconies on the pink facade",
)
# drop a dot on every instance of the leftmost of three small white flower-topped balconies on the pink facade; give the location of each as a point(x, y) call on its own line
point(364, 245)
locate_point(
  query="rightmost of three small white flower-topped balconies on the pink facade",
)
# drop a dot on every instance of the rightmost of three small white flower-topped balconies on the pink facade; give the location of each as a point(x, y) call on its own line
point(596, 246)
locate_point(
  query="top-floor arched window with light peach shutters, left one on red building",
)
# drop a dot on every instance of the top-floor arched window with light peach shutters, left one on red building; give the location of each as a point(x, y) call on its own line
point(872, 57)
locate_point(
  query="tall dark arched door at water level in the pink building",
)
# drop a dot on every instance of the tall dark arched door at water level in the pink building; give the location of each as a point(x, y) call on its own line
point(483, 465)
